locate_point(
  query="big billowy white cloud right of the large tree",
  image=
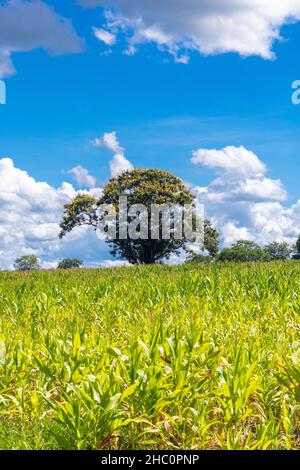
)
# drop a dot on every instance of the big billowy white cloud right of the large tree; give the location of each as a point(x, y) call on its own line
point(243, 201)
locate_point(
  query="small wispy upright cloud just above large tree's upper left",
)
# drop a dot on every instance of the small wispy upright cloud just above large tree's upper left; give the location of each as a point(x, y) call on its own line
point(119, 163)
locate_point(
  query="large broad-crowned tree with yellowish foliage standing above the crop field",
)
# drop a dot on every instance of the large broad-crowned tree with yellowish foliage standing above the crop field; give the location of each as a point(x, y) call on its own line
point(148, 187)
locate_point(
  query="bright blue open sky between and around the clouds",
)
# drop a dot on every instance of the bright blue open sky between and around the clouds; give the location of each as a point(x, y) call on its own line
point(160, 109)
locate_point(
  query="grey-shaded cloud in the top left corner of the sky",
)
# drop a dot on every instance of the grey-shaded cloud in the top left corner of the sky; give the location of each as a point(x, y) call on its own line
point(28, 25)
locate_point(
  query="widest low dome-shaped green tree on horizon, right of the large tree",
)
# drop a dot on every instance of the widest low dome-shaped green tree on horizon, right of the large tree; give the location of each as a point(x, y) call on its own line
point(244, 251)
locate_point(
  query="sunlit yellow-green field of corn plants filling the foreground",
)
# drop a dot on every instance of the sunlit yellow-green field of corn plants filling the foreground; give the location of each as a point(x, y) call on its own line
point(188, 357)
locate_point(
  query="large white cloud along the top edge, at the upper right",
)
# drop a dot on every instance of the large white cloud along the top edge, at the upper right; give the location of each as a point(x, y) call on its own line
point(248, 27)
